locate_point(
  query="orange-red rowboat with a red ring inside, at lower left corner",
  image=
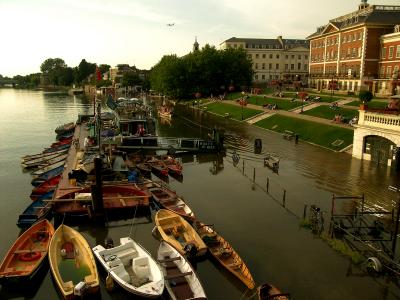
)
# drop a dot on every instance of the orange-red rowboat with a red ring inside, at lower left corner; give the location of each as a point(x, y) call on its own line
point(28, 252)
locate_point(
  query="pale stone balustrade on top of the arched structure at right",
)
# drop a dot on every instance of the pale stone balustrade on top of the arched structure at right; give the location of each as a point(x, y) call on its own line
point(379, 119)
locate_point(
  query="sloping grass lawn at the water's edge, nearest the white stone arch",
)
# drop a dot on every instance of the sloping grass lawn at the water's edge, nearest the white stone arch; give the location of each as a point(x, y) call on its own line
point(331, 137)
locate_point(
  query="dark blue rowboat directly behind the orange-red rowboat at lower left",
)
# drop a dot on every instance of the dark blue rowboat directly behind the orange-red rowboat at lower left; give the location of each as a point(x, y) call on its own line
point(35, 211)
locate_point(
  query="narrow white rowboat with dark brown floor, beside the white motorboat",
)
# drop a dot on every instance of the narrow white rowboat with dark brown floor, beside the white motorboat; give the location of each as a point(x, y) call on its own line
point(182, 281)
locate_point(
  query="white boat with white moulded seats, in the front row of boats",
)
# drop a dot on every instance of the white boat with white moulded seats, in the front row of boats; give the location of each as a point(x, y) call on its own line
point(132, 267)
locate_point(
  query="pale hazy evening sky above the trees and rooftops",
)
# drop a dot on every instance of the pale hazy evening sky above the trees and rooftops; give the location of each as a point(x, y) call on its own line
point(135, 32)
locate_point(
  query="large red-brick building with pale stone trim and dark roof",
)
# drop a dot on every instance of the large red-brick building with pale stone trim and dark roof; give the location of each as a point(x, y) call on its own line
point(345, 53)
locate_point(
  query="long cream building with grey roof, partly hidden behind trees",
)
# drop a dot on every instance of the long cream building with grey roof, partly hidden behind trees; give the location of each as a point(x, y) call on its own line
point(274, 59)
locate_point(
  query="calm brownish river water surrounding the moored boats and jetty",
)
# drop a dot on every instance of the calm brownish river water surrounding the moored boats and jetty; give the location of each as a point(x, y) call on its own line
point(266, 235)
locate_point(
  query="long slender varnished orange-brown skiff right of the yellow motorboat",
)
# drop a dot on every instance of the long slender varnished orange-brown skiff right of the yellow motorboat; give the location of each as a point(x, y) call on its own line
point(225, 254)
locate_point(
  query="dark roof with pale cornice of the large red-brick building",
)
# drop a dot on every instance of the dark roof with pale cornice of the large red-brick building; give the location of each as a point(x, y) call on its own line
point(372, 15)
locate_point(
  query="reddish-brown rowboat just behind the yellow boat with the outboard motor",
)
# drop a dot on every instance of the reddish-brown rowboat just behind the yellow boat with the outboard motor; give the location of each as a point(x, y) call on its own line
point(169, 200)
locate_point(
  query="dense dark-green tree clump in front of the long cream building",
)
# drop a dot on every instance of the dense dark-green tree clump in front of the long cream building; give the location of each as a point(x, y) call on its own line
point(206, 71)
